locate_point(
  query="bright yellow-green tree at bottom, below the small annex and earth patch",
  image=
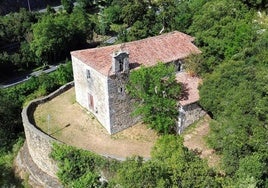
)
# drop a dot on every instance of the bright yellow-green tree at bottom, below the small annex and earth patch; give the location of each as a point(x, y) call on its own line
point(185, 168)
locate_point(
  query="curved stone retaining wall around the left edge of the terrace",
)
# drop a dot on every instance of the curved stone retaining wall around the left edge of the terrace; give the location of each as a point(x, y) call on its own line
point(39, 144)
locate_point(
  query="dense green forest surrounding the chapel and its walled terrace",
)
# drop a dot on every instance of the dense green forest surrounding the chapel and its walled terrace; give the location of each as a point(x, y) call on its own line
point(233, 38)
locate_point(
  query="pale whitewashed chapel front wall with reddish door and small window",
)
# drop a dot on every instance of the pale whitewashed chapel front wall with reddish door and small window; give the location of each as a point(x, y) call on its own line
point(95, 85)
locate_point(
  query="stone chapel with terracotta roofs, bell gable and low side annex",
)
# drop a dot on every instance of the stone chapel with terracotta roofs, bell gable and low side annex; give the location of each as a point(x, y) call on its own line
point(100, 77)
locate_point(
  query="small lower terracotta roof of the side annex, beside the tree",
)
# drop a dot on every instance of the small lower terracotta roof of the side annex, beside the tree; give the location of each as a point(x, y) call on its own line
point(190, 84)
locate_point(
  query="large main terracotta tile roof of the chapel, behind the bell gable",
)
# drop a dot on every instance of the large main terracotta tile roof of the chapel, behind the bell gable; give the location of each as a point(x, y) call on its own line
point(166, 48)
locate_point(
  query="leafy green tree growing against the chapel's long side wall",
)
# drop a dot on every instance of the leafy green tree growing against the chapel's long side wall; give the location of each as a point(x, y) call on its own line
point(156, 91)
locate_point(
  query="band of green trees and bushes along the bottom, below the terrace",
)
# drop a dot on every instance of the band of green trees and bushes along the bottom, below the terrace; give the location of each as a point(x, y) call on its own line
point(171, 165)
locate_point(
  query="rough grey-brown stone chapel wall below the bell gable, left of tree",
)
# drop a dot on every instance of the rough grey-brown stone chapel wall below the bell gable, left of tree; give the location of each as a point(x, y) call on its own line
point(121, 105)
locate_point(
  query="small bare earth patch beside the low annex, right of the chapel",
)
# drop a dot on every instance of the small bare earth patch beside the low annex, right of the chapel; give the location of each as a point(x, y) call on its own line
point(195, 140)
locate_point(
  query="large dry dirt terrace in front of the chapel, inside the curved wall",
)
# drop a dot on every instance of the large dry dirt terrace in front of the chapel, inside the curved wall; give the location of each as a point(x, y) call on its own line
point(65, 120)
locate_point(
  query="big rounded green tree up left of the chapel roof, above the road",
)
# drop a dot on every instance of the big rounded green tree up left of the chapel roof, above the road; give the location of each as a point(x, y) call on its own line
point(56, 35)
